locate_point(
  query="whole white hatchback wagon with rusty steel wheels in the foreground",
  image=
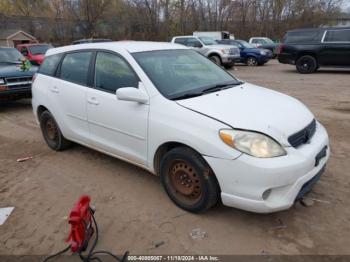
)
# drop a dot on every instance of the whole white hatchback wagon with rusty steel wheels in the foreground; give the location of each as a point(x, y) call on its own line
point(172, 111)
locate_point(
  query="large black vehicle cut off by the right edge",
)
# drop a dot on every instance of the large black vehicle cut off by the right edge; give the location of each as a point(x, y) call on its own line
point(309, 49)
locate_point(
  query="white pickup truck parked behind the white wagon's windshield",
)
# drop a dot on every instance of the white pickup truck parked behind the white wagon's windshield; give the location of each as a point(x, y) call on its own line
point(220, 54)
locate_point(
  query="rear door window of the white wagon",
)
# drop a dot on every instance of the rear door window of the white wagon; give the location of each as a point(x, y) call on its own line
point(75, 67)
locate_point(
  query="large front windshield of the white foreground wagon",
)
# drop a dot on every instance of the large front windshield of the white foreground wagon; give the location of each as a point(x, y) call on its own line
point(177, 73)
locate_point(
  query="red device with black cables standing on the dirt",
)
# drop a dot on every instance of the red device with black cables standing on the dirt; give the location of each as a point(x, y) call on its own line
point(82, 221)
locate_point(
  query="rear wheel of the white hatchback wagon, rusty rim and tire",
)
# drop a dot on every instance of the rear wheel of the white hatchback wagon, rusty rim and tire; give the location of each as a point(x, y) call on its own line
point(52, 133)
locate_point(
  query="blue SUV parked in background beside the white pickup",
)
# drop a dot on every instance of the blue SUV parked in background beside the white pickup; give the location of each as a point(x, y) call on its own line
point(250, 55)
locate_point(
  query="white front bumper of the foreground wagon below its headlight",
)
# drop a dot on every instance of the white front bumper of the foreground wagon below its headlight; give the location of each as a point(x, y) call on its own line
point(244, 181)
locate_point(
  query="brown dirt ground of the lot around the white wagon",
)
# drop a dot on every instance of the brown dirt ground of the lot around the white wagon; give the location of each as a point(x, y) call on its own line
point(133, 211)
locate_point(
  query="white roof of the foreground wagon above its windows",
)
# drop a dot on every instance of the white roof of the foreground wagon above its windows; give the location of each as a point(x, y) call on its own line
point(129, 46)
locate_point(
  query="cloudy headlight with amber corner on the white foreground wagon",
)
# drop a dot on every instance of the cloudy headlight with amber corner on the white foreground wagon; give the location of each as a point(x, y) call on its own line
point(251, 143)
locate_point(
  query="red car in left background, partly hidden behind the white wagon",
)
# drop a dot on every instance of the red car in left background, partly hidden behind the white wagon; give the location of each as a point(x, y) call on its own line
point(35, 53)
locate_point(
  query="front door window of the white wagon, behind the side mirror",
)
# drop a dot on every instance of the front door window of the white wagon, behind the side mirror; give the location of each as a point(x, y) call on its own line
point(112, 72)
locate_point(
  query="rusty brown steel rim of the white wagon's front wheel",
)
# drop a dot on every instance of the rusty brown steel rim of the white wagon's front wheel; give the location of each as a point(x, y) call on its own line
point(185, 182)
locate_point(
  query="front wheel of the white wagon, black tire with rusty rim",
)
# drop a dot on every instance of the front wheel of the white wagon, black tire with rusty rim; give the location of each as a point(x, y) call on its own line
point(188, 180)
